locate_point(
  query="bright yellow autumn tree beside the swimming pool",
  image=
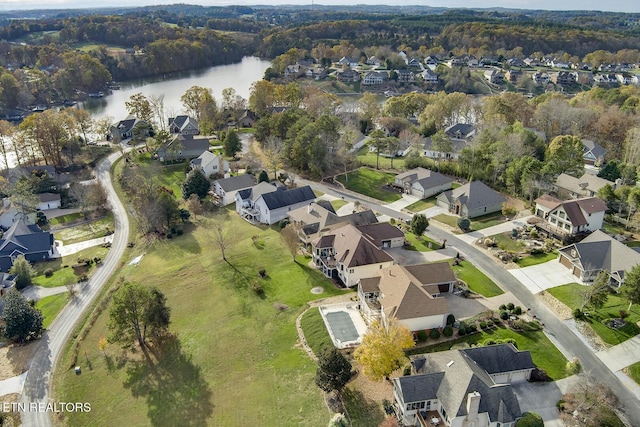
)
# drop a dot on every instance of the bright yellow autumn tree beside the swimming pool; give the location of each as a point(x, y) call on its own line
point(382, 348)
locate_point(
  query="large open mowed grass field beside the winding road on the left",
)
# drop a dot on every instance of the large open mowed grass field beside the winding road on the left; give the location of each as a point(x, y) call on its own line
point(237, 363)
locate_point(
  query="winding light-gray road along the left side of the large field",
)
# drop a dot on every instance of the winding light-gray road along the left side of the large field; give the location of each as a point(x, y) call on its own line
point(37, 384)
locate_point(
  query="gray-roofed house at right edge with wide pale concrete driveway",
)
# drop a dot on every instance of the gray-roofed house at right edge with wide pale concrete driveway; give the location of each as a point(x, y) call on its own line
point(596, 253)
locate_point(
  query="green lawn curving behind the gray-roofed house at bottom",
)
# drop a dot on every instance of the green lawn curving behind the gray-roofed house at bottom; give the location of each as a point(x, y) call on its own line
point(544, 354)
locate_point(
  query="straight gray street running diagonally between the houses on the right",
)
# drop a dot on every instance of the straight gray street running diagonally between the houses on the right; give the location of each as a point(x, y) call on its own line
point(561, 335)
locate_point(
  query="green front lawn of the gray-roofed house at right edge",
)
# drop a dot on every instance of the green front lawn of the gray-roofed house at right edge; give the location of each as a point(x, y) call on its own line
point(569, 295)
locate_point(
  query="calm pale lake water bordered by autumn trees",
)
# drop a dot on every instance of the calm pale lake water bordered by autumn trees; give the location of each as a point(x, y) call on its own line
point(239, 76)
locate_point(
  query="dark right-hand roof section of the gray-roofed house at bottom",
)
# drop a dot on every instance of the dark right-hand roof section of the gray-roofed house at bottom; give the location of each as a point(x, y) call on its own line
point(500, 358)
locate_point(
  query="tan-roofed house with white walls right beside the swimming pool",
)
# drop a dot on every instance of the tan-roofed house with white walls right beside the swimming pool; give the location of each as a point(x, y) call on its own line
point(410, 294)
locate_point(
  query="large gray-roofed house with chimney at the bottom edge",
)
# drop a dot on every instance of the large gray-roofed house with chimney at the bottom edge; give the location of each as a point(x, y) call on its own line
point(463, 388)
